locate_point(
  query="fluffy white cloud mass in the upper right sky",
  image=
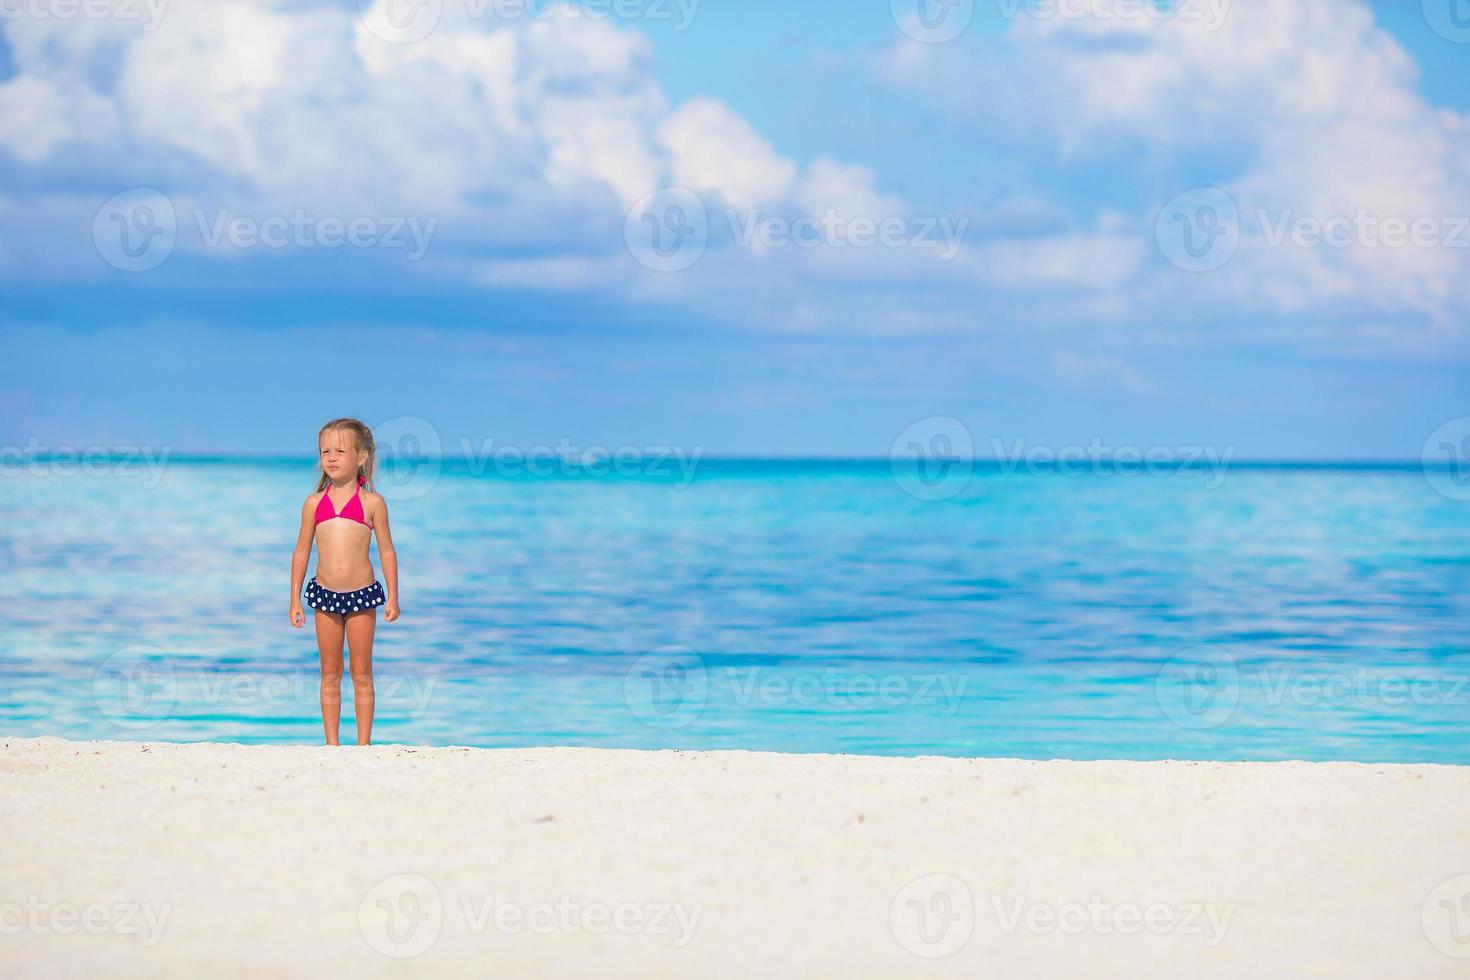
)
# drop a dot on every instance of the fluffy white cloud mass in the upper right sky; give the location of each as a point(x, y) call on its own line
point(1352, 192)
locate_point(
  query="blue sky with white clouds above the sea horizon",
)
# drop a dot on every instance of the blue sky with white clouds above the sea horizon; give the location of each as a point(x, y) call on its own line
point(1039, 171)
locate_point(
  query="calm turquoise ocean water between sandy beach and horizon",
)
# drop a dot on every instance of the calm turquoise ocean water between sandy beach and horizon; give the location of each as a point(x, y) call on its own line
point(1265, 613)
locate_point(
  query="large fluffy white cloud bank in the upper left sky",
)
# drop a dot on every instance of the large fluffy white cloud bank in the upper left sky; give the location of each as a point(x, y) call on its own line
point(527, 139)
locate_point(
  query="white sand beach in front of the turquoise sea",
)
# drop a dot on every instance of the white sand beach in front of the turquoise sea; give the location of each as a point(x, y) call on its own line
point(127, 859)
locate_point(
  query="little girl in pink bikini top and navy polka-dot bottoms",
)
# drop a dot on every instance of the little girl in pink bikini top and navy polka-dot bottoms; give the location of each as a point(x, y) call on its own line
point(343, 519)
